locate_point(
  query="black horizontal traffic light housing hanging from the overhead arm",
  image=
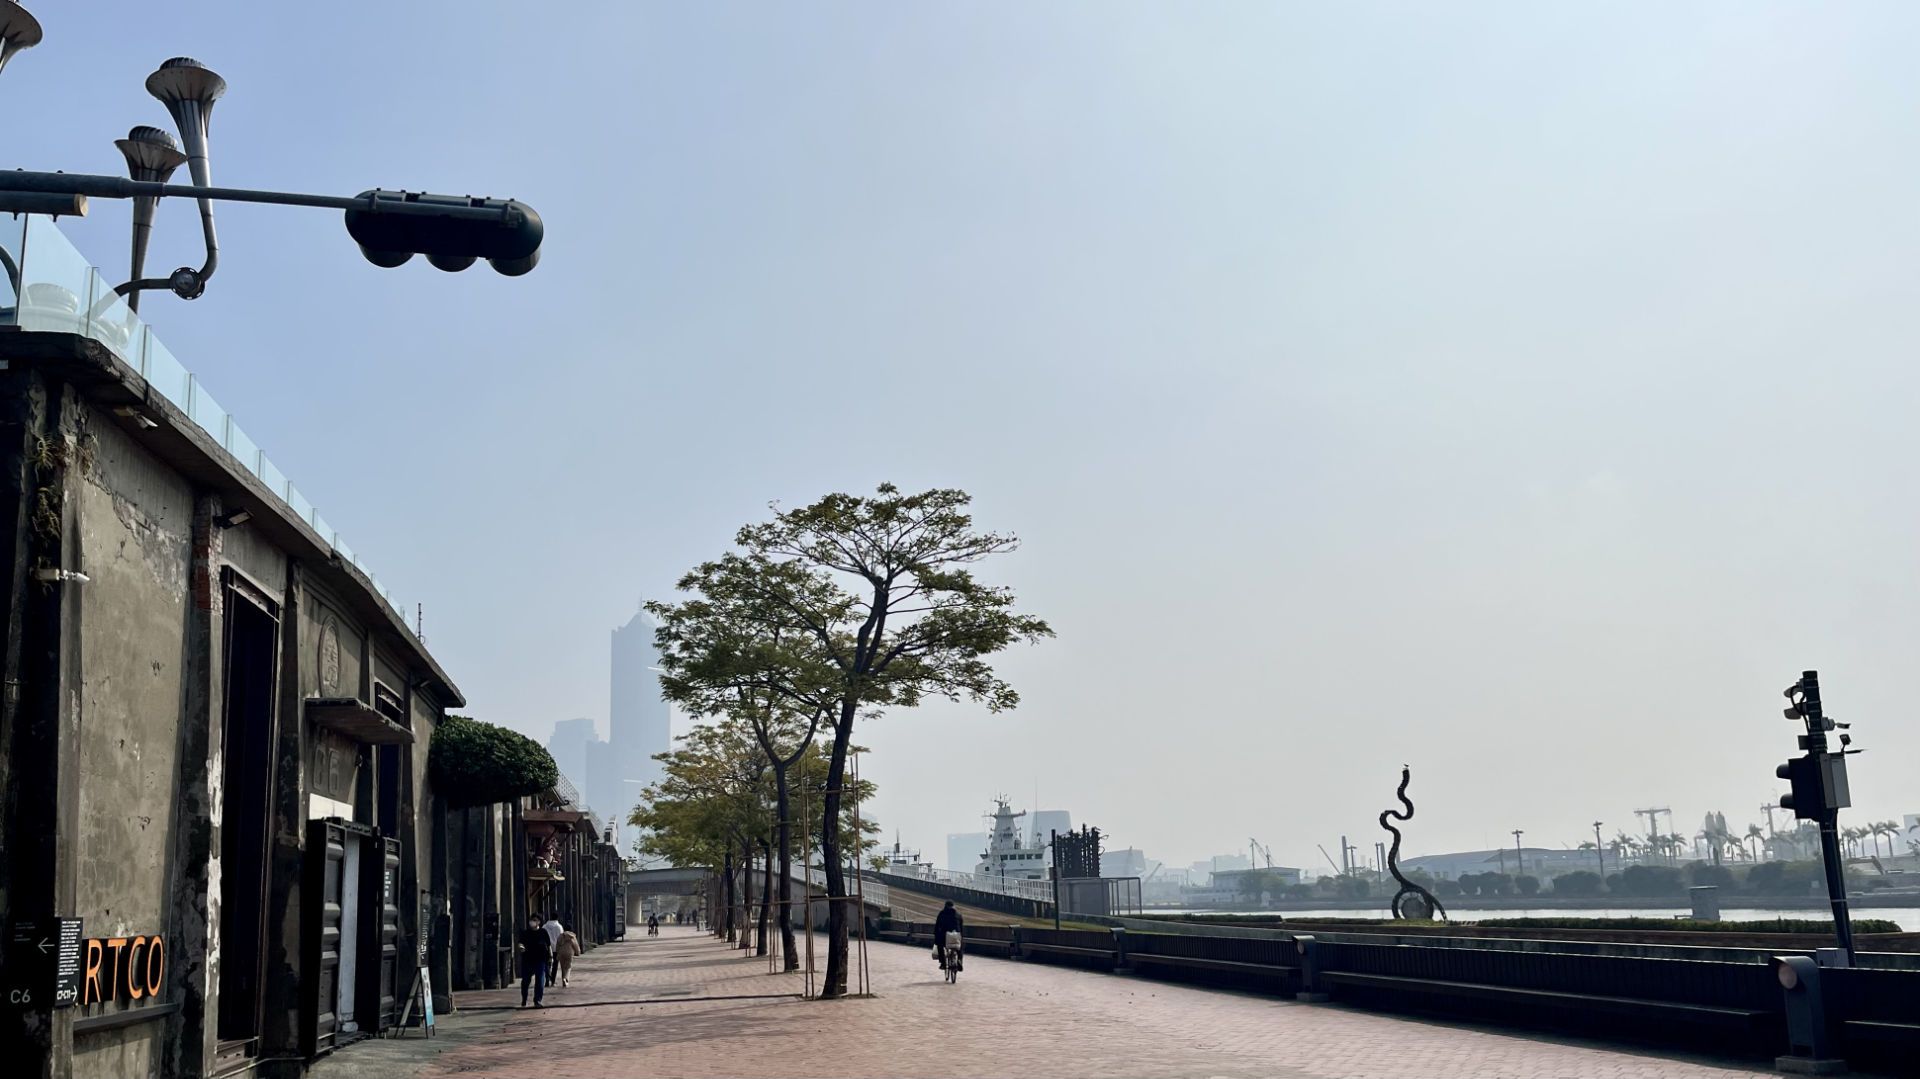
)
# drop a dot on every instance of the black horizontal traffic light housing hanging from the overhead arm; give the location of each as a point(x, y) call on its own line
point(452, 231)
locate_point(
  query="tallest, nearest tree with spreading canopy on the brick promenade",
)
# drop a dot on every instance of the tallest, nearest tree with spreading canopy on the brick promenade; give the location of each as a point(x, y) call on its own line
point(859, 604)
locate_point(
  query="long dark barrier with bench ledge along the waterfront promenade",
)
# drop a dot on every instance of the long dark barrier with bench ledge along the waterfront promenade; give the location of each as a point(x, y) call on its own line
point(1668, 995)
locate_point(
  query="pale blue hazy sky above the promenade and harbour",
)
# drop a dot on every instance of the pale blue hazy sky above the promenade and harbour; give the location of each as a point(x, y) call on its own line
point(1516, 391)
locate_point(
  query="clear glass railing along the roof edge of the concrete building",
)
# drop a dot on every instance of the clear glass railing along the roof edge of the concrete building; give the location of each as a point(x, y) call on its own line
point(51, 287)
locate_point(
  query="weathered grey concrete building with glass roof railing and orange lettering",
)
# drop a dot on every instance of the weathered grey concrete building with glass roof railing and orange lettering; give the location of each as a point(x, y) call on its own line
point(214, 725)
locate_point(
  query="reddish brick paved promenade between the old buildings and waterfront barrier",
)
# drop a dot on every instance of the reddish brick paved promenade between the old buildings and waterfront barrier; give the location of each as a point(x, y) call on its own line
point(1003, 1019)
